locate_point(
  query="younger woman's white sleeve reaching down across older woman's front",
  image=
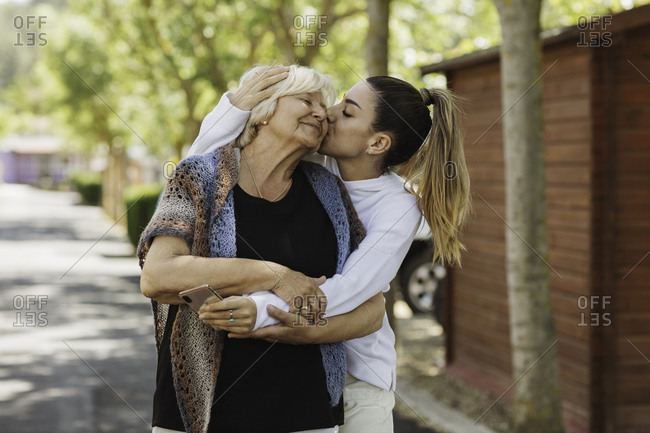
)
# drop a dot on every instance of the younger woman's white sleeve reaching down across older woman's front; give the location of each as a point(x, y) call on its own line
point(371, 267)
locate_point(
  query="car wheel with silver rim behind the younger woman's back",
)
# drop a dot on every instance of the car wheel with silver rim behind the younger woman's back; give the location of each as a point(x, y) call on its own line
point(422, 284)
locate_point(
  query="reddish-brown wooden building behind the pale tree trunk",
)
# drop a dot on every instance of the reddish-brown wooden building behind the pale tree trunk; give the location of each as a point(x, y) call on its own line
point(596, 107)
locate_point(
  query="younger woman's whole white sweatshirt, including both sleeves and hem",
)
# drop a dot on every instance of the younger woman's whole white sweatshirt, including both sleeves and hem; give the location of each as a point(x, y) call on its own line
point(391, 217)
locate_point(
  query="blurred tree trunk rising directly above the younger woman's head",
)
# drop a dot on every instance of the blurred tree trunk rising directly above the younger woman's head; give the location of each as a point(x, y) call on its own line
point(377, 41)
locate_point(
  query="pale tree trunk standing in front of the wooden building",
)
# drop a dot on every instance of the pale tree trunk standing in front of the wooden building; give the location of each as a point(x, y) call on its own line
point(537, 403)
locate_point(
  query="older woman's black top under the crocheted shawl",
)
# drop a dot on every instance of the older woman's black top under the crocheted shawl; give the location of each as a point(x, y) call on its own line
point(266, 387)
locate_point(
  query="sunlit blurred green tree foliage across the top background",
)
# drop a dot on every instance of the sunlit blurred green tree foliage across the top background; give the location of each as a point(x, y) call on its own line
point(146, 72)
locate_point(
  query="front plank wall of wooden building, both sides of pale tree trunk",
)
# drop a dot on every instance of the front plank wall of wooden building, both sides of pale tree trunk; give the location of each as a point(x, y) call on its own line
point(480, 310)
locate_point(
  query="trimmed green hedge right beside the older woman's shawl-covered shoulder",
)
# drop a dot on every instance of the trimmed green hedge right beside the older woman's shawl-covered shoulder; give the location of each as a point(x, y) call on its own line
point(140, 201)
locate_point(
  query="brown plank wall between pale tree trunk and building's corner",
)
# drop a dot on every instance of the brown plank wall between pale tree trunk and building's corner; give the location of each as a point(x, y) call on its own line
point(568, 156)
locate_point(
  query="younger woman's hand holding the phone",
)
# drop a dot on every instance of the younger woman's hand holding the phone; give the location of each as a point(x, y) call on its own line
point(233, 314)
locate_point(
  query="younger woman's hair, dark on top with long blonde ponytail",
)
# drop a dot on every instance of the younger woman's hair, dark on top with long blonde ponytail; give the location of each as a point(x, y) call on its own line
point(431, 145)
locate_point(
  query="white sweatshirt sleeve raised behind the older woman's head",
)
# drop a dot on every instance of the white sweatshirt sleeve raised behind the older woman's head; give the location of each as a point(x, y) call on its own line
point(220, 127)
